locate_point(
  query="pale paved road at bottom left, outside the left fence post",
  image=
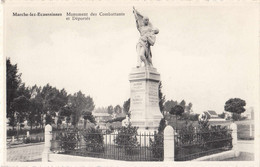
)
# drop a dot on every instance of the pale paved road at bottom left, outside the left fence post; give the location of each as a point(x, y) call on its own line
point(25, 153)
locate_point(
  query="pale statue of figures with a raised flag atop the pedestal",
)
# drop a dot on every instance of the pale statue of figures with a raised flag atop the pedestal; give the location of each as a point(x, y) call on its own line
point(147, 39)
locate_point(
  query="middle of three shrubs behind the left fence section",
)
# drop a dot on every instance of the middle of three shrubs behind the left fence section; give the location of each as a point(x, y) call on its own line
point(94, 140)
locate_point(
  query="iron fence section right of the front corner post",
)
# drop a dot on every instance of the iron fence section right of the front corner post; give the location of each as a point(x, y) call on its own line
point(192, 145)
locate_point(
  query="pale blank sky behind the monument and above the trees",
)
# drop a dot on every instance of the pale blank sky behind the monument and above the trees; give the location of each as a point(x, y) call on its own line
point(205, 54)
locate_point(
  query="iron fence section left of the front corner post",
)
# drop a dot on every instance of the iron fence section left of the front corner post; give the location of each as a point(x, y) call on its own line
point(105, 144)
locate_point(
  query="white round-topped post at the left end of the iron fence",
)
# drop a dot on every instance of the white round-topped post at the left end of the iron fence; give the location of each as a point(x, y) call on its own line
point(47, 143)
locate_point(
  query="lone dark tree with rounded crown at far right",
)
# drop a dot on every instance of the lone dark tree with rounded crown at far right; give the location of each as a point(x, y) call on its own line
point(235, 106)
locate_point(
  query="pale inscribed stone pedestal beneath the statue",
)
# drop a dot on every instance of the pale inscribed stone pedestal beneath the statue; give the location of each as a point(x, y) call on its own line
point(144, 106)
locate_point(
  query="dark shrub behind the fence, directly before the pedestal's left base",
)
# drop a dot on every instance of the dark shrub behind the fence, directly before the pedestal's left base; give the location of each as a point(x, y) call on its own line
point(127, 139)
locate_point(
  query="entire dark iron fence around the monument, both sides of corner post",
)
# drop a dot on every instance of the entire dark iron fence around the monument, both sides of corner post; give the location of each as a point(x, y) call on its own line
point(140, 147)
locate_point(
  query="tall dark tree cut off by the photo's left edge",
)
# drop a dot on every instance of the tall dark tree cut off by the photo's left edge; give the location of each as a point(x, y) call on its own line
point(13, 80)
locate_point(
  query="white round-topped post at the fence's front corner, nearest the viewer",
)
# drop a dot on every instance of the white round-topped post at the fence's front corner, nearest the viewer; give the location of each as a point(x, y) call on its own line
point(168, 144)
